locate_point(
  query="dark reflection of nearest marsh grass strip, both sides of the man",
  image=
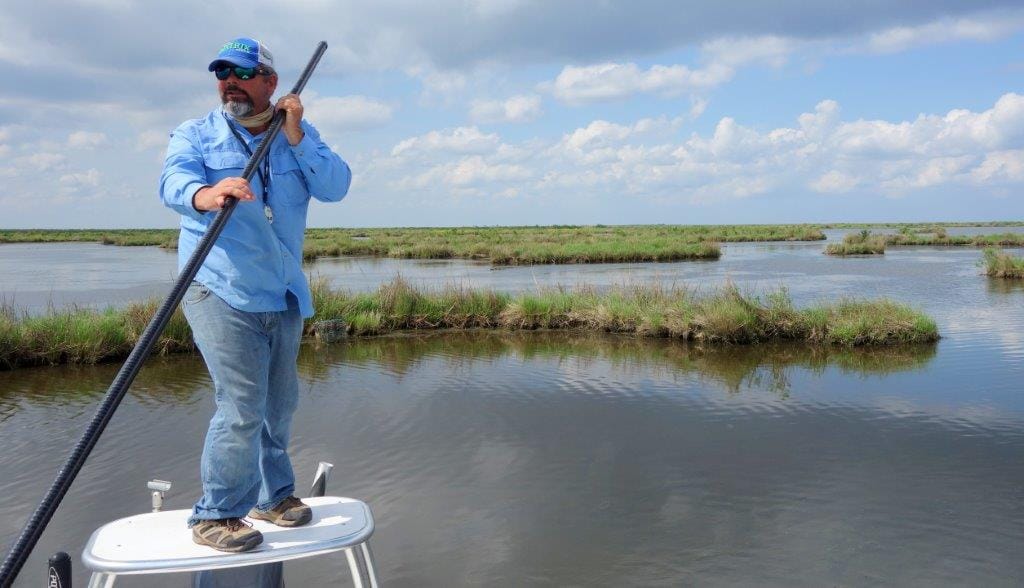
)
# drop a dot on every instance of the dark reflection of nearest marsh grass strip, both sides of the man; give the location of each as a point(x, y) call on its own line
point(184, 380)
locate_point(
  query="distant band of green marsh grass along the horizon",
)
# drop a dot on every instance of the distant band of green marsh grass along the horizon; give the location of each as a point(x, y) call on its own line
point(534, 245)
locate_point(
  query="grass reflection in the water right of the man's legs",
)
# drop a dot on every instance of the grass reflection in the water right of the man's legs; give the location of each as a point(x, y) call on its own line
point(738, 367)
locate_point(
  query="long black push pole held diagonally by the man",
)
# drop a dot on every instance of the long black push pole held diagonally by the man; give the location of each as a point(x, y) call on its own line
point(41, 518)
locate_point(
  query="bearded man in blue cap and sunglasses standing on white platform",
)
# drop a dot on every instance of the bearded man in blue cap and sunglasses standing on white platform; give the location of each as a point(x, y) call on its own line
point(247, 304)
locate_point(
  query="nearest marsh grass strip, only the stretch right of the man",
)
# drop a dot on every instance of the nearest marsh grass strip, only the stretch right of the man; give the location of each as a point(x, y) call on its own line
point(724, 316)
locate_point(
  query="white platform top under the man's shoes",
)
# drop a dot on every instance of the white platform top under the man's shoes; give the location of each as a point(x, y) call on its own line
point(161, 542)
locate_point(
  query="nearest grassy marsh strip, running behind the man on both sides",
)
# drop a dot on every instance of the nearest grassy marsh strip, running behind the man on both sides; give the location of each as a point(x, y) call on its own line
point(724, 317)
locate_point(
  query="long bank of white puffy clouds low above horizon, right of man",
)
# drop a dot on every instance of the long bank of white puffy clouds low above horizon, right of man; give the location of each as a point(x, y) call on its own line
point(649, 159)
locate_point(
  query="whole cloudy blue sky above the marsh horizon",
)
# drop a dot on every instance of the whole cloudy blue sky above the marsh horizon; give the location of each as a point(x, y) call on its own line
point(516, 112)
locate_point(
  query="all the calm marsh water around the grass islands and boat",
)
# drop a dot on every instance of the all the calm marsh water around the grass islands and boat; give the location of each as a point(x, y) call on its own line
point(509, 460)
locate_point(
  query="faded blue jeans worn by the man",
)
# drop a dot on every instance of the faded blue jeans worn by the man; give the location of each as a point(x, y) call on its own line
point(252, 360)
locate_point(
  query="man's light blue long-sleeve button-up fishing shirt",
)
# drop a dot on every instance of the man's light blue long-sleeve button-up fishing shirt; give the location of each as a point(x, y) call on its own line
point(255, 263)
